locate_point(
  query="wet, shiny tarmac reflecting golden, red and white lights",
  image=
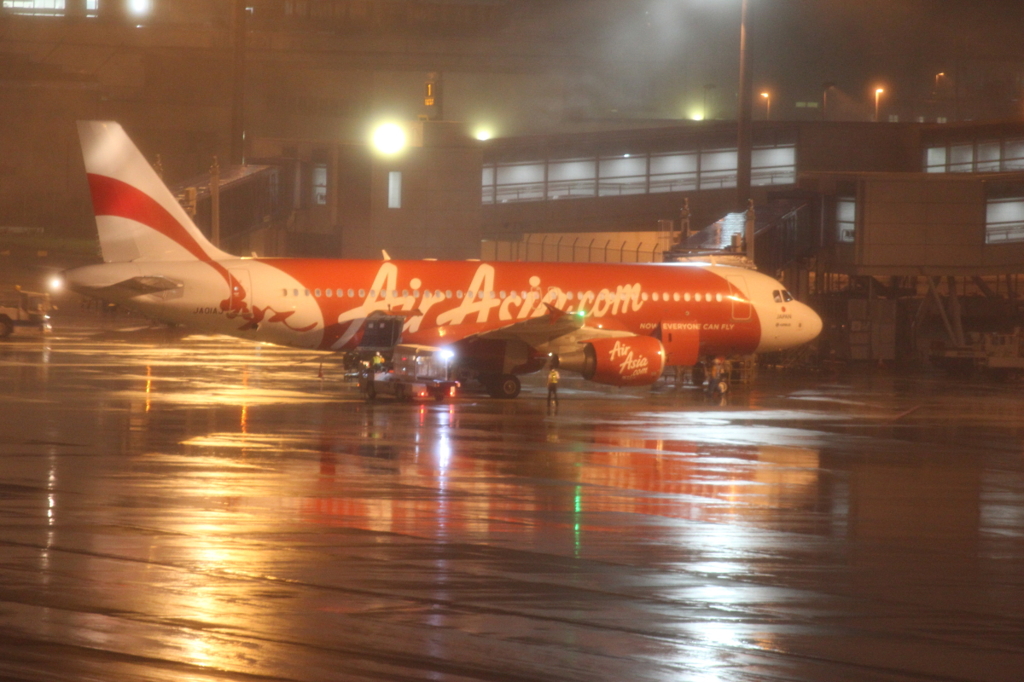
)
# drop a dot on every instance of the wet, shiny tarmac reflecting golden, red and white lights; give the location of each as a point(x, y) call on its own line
point(201, 509)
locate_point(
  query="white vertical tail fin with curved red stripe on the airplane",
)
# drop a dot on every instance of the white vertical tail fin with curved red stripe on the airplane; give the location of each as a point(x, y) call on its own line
point(138, 218)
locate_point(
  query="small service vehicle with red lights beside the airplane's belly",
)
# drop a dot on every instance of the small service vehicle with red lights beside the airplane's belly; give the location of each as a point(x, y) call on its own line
point(416, 373)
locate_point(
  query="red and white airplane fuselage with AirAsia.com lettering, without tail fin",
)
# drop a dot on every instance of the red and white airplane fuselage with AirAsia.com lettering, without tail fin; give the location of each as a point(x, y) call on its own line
point(323, 305)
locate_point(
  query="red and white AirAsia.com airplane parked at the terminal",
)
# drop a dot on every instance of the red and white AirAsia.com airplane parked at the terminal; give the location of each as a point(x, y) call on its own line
point(615, 324)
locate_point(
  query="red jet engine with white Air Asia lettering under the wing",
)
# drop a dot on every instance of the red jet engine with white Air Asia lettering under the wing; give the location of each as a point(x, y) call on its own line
point(632, 361)
